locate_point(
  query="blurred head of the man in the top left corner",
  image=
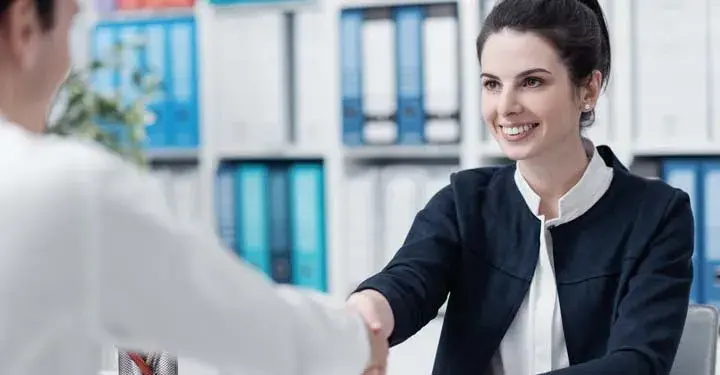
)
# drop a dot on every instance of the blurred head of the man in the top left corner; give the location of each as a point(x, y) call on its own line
point(34, 55)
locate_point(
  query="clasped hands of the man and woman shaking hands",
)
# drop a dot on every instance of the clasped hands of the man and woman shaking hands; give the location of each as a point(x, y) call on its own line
point(377, 314)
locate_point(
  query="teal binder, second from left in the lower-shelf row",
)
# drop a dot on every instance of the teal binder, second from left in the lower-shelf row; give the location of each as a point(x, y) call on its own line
point(252, 216)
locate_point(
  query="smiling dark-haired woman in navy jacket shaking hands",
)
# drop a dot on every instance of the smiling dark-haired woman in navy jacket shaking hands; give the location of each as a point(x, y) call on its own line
point(561, 263)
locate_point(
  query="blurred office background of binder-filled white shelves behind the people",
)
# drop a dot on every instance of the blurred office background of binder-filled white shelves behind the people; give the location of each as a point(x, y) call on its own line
point(309, 133)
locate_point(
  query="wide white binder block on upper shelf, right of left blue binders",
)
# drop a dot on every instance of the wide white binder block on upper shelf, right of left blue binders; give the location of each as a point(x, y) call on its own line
point(251, 86)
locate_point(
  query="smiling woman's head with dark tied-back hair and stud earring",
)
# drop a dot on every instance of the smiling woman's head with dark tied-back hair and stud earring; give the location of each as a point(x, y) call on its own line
point(542, 75)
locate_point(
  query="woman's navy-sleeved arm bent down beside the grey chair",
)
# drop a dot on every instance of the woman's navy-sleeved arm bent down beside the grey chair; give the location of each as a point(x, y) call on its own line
point(649, 323)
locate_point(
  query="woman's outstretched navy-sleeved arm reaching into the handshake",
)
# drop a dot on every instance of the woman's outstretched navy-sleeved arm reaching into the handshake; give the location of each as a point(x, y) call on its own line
point(415, 283)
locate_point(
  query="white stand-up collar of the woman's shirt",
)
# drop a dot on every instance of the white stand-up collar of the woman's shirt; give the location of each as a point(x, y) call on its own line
point(594, 182)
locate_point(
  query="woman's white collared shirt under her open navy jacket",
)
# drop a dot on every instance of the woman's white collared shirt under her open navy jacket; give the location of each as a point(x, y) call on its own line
point(535, 341)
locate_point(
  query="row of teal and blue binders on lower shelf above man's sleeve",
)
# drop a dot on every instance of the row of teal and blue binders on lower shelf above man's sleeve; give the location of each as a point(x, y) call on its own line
point(272, 214)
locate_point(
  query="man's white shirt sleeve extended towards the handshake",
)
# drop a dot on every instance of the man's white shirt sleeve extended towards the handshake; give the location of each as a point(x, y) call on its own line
point(159, 283)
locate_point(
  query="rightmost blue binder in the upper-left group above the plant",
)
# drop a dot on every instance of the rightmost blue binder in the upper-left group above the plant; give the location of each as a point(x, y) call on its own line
point(182, 84)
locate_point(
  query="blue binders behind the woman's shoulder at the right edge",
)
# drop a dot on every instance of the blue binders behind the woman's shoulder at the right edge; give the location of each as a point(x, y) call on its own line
point(700, 178)
